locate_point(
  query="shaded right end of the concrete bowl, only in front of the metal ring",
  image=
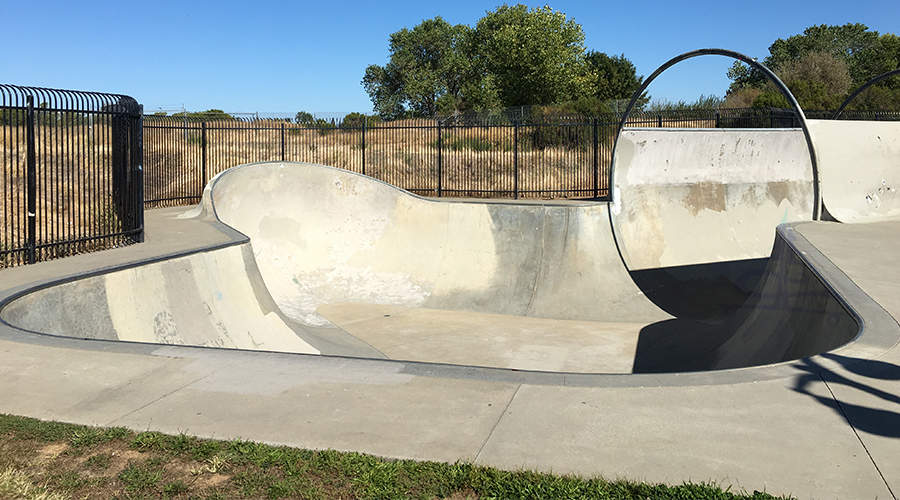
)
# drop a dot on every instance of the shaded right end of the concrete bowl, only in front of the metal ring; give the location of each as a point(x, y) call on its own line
point(791, 315)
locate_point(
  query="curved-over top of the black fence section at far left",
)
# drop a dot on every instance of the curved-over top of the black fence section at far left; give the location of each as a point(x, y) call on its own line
point(68, 100)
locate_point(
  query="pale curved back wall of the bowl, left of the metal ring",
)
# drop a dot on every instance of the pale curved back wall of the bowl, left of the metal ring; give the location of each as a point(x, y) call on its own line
point(335, 236)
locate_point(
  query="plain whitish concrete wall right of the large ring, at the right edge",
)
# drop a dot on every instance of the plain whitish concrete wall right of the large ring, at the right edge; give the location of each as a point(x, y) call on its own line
point(859, 168)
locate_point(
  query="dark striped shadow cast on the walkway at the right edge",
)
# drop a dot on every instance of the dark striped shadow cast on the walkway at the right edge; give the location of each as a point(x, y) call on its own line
point(877, 421)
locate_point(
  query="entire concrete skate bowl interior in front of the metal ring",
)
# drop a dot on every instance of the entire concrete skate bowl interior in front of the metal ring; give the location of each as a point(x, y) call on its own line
point(342, 264)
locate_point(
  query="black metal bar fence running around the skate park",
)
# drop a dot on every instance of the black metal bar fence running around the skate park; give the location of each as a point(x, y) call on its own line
point(79, 167)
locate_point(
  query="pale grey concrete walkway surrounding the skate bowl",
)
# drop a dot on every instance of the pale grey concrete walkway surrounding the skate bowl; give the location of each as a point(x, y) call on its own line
point(825, 427)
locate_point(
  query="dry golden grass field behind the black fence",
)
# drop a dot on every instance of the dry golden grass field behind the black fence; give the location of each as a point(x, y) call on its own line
point(74, 163)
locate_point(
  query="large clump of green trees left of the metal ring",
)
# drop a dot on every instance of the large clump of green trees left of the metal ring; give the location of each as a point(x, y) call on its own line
point(513, 56)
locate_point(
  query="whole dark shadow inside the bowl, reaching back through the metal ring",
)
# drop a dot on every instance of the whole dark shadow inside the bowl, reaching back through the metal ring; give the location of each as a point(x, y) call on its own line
point(791, 314)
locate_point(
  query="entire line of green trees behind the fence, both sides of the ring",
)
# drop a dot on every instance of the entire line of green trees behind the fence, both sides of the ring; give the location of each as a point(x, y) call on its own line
point(514, 56)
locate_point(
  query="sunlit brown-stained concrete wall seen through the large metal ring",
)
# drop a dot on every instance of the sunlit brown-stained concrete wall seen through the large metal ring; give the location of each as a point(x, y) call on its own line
point(695, 196)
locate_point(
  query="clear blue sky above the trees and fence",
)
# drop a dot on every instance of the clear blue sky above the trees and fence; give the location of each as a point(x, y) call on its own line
point(287, 56)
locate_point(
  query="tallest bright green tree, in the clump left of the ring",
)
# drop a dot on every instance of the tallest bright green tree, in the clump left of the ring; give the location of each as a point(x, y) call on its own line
point(535, 56)
